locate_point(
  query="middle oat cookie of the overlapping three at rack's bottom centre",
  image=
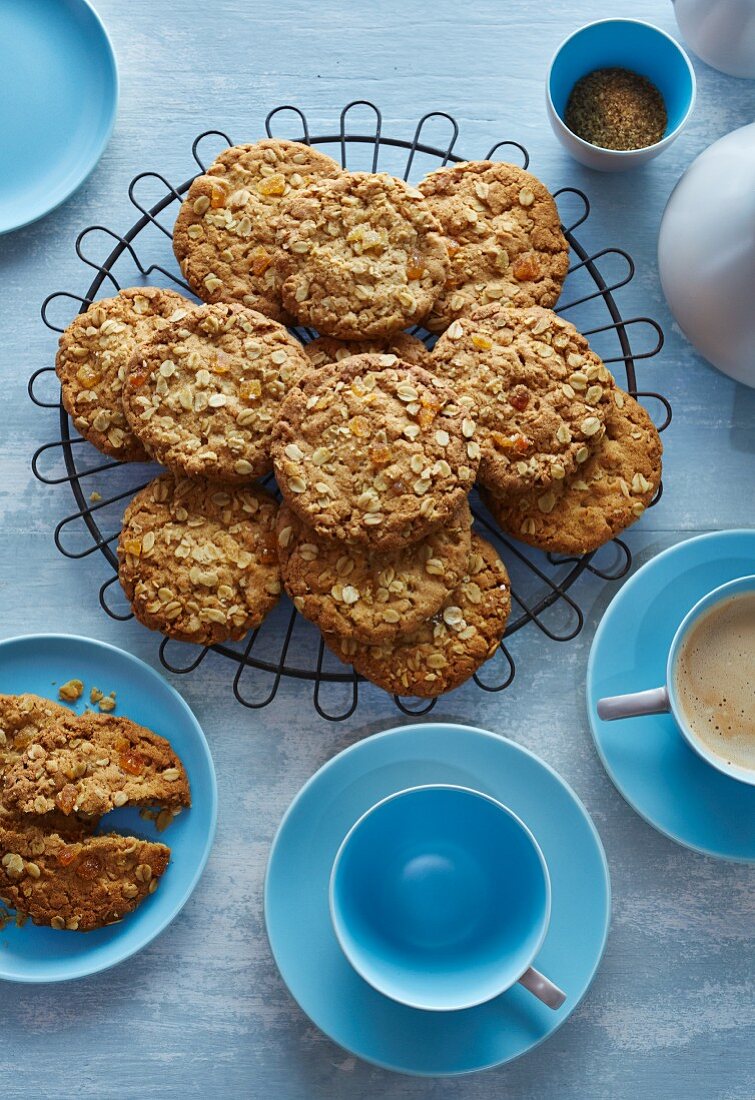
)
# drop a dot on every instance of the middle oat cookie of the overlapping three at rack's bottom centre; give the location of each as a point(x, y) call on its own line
point(368, 596)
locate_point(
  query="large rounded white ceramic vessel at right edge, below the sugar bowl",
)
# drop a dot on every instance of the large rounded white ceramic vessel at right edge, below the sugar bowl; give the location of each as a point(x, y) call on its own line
point(707, 255)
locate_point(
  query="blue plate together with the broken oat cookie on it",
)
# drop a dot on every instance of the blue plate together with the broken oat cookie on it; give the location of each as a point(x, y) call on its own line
point(70, 878)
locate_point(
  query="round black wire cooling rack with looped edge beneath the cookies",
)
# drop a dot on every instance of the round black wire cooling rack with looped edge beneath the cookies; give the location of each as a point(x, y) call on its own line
point(286, 645)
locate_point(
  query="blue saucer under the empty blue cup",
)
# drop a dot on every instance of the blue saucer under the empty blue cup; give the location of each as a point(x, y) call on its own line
point(319, 976)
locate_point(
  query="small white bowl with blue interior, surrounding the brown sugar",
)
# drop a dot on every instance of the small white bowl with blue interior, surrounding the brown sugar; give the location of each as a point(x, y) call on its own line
point(620, 43)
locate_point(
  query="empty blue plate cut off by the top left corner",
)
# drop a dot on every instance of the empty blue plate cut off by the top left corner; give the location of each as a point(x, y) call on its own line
point(59, 91)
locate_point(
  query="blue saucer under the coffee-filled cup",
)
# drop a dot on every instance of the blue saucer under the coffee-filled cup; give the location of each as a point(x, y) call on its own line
point(648, 758)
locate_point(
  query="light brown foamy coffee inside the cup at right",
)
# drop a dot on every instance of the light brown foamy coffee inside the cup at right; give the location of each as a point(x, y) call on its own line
point(715, 680)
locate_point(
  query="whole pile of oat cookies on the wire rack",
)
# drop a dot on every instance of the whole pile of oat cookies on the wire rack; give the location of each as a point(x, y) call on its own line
point(375, 441)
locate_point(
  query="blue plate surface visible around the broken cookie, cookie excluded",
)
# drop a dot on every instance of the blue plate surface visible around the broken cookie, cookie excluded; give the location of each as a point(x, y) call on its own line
point(39, 664)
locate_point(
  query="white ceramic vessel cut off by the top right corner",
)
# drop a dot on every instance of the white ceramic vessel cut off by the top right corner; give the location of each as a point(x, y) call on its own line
point(721, 32)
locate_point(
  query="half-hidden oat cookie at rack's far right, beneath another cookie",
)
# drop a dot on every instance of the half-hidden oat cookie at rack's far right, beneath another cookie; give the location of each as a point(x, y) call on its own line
point(605, 497)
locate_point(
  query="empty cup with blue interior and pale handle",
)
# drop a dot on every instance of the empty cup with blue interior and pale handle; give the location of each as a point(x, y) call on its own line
point(441, 899)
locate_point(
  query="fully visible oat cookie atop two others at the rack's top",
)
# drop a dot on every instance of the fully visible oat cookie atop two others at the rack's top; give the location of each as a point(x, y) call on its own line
point(359, 257)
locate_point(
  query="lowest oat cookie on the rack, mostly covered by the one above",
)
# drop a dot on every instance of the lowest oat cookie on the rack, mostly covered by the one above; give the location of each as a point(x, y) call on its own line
point(447, 650)
